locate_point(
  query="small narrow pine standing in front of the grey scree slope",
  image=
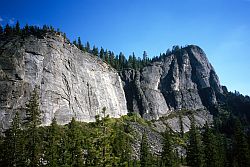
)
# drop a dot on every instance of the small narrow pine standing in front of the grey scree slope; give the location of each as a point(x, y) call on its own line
point(145, 159)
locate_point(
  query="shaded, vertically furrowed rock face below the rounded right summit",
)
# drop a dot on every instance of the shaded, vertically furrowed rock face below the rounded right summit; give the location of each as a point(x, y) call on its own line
point(182, 80)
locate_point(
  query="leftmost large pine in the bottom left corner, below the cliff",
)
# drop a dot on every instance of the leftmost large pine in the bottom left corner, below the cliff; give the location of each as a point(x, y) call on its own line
point(13, 144)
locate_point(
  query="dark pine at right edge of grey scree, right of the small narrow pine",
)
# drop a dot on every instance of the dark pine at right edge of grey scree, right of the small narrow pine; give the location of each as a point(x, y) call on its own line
point(167, 155)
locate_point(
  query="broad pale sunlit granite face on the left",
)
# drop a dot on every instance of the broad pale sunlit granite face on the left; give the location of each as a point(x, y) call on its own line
point(71, 83)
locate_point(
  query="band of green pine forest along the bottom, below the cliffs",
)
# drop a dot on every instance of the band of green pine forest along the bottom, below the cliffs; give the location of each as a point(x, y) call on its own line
point(107, 142)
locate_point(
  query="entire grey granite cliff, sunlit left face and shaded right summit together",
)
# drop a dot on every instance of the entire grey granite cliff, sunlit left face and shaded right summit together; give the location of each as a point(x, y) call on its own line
point(73, 83)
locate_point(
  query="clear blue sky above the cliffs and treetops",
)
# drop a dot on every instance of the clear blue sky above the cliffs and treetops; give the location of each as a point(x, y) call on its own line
point(220, 27)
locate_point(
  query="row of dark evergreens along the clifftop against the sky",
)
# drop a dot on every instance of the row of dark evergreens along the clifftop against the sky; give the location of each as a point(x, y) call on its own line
point(118, 62)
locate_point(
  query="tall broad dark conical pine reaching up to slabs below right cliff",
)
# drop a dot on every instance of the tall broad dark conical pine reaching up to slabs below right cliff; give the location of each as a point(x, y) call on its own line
point(194, 147)
